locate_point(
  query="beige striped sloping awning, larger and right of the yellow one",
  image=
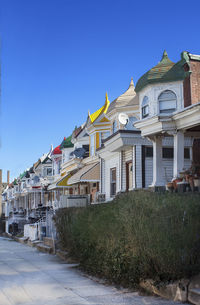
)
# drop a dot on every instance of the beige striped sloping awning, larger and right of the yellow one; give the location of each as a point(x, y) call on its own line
point(89, 173)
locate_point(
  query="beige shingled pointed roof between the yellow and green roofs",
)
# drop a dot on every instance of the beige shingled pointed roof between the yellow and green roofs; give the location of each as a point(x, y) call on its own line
point(128, 98)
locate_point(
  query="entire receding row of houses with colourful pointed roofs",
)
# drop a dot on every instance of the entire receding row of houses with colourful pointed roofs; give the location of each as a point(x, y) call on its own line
point(146, 137)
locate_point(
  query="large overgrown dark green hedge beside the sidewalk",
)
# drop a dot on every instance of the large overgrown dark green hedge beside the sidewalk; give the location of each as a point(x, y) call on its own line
point(139, 235)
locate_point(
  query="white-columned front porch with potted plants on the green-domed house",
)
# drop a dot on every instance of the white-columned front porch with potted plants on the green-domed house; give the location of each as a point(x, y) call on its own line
point(184, 130)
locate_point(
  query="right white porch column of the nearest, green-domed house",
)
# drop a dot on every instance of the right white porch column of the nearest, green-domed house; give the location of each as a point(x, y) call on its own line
point(178, 153)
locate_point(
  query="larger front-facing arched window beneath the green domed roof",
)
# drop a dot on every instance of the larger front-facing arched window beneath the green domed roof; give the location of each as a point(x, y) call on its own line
point(167, 102)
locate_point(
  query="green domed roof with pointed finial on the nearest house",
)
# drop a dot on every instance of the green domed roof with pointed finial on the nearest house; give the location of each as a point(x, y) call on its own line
point(164, 71)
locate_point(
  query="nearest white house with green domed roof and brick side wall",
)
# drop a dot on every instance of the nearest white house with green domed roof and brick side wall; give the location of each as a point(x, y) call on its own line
point(169, 111)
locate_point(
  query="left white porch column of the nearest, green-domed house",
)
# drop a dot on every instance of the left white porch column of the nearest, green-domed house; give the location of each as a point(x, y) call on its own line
point(157, 162)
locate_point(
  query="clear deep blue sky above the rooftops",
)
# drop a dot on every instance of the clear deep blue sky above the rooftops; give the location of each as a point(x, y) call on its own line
point(59, 57)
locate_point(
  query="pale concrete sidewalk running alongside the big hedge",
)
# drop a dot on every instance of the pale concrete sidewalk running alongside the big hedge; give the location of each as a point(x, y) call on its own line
point(32, 278)
